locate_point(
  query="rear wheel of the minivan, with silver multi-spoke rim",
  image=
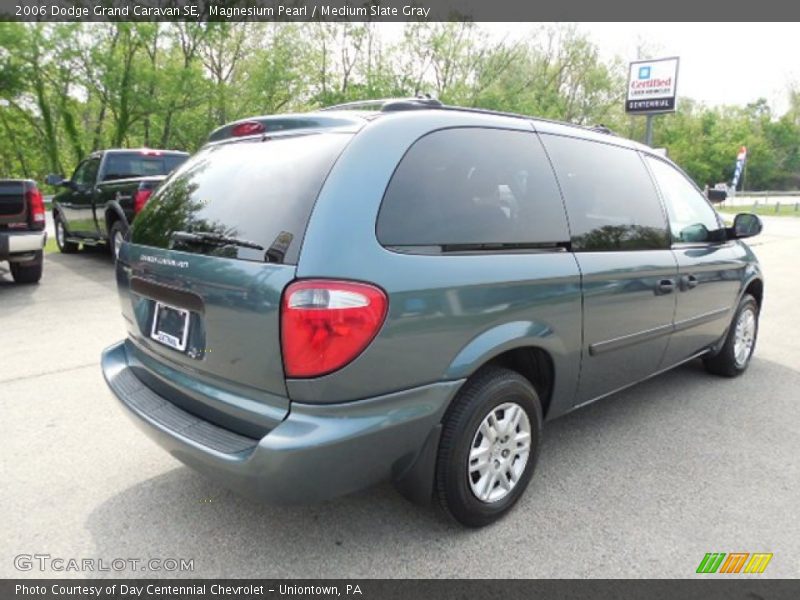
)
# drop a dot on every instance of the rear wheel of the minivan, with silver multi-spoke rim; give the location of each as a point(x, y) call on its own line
point(489, 446)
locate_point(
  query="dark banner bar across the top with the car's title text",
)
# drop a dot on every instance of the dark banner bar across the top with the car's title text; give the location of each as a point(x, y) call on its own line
point(400, 10)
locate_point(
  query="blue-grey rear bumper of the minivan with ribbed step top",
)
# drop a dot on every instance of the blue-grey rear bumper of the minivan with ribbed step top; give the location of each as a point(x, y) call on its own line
point(316, 452)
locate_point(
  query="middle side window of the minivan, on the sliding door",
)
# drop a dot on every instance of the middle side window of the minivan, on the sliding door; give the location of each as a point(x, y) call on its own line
point(611, 200)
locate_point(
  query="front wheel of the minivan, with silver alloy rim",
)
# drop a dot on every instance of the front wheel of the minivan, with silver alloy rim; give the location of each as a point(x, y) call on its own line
point(734, 356)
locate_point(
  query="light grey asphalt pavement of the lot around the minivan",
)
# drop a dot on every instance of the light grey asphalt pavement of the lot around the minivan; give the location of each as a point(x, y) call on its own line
point(641, 484)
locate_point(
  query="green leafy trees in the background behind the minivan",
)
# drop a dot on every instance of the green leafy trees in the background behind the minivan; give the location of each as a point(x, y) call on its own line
point(71, 88)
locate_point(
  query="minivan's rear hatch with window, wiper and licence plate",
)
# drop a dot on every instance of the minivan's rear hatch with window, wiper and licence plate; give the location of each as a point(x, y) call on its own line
point(209, 258)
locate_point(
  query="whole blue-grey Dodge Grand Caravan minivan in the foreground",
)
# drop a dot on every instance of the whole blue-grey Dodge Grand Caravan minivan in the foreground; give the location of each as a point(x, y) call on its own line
point(317, 302)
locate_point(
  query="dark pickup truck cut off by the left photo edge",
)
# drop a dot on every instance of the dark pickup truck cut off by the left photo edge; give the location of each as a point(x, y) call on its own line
point(22, 234)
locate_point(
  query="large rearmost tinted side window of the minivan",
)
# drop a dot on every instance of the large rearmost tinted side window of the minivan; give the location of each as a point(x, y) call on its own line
point(473, 186)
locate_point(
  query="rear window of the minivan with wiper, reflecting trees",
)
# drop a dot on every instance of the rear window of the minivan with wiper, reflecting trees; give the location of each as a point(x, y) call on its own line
point(248, 199)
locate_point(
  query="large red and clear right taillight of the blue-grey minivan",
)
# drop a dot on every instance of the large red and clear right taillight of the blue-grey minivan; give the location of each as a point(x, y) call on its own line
point(326, 324)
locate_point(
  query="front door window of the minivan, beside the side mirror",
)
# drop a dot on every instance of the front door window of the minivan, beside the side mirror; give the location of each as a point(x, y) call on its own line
point(691, 218)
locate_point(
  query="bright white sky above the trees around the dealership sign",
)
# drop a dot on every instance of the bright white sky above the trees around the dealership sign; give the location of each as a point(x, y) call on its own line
point(721, 63)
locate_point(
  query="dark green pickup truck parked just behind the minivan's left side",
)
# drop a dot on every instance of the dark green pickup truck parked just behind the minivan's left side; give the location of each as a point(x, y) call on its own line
point(105, 193)
